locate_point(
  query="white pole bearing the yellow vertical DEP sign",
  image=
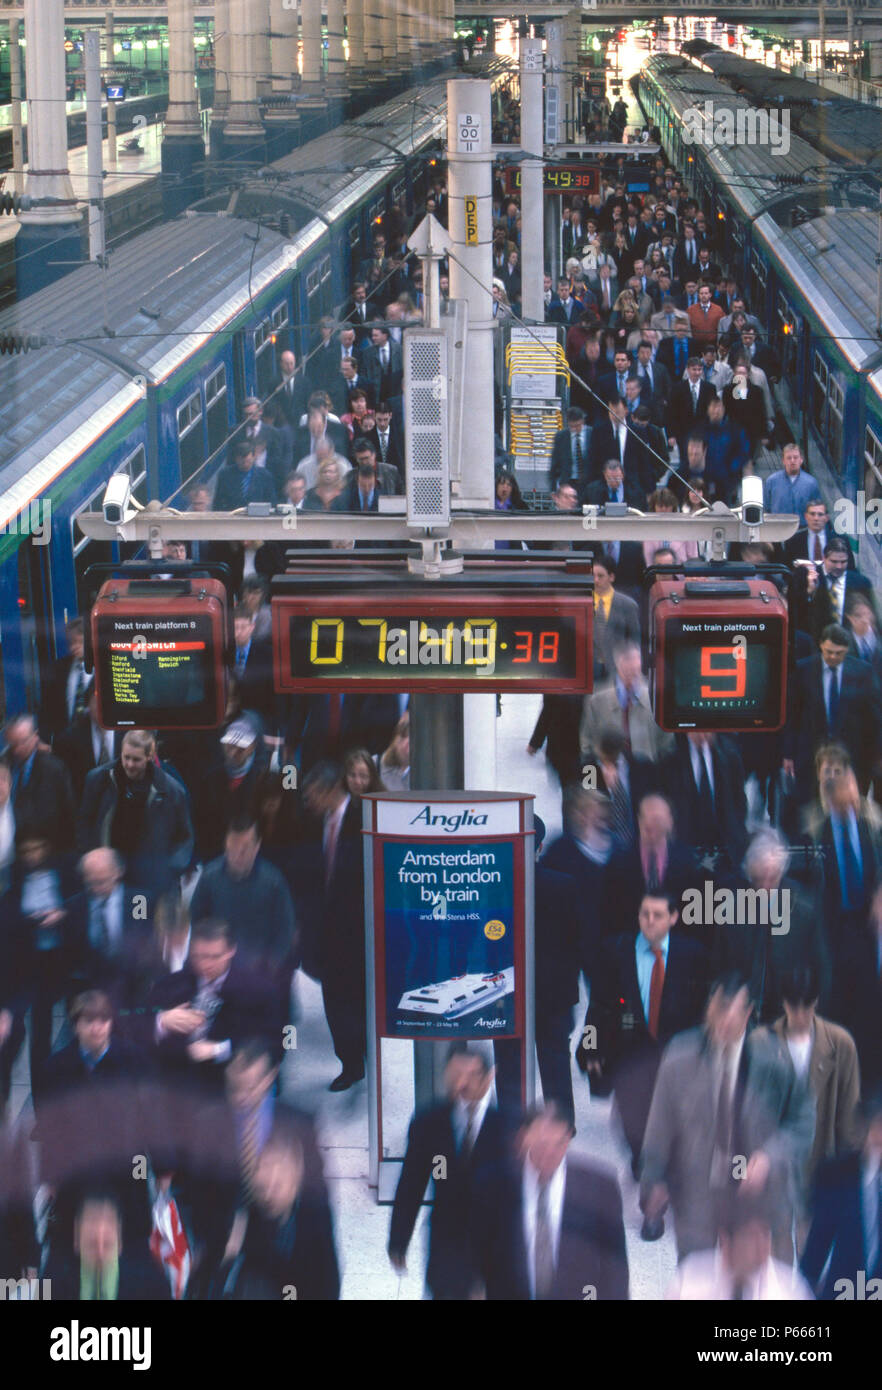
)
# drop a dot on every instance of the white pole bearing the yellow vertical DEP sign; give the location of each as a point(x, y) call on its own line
point(470, 166)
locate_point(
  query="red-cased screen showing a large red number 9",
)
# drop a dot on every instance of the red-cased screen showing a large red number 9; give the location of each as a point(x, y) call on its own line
point(720, 655)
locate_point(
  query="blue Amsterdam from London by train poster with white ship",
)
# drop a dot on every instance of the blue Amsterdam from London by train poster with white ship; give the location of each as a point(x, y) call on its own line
point(449, 933)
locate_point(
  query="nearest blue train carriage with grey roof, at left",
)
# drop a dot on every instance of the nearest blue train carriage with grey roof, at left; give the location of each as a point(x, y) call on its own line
point(155, 361)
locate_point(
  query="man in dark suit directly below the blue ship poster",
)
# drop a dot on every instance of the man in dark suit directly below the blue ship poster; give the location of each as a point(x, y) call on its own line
point(469, 1135)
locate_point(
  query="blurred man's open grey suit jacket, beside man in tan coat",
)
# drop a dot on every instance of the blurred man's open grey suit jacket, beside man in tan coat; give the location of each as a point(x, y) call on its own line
point(777, 1114)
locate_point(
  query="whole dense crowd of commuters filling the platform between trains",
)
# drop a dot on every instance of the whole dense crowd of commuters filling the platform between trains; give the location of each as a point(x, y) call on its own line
point(169, 890)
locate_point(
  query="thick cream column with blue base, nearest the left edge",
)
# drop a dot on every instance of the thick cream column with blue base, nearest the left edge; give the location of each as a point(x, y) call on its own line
point(51, 234)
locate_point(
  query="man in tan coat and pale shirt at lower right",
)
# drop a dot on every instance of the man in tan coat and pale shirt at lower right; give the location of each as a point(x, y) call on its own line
point(823, 1054)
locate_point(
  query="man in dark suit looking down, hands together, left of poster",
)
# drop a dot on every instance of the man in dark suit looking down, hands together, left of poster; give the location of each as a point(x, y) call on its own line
point(206, 1008)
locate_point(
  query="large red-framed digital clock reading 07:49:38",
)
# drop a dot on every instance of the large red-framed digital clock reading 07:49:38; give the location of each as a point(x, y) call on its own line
point(467, 641)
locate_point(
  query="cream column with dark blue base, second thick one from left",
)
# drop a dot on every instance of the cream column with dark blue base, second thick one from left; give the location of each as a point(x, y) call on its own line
point(183, 141)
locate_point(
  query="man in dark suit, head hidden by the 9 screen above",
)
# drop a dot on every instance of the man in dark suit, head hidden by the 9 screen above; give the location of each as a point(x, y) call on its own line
point(705, 782)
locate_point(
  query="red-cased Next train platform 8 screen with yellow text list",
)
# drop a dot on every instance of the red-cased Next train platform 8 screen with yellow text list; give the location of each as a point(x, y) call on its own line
point(160, 654)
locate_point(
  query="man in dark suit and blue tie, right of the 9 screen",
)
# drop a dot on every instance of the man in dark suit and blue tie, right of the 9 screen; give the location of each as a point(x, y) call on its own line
point(834, 698)
